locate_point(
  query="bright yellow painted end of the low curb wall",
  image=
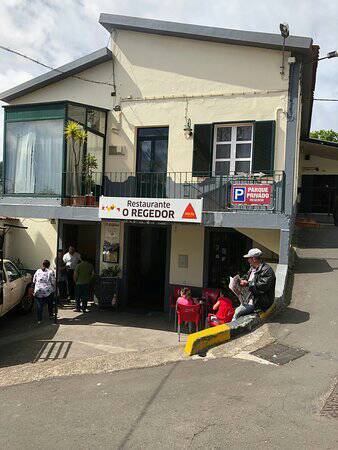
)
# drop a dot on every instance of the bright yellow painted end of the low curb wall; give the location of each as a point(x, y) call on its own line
point(203, 340)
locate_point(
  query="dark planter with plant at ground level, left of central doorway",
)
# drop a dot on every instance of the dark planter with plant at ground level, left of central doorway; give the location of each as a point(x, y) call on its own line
point(109, 286)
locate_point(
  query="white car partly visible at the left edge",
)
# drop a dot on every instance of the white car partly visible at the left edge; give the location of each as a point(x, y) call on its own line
point(15, 289)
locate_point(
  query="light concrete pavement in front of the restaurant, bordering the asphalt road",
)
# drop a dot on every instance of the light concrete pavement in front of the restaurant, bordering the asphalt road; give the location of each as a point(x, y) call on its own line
point(97, 342)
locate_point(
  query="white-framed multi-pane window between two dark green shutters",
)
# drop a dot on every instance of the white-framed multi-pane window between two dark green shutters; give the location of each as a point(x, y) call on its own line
point(232, 152)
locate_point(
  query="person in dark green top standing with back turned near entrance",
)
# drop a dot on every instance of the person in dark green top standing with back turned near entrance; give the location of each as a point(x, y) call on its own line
point(83, 276)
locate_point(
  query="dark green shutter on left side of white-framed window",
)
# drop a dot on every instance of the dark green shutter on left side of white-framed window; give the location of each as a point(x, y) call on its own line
point(202, 152)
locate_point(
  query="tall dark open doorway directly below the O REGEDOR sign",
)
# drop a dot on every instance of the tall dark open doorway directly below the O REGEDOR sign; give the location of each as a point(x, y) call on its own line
point(146, 266)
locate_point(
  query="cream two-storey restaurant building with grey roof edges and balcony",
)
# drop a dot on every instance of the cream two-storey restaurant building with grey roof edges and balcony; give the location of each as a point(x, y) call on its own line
point(181, 111)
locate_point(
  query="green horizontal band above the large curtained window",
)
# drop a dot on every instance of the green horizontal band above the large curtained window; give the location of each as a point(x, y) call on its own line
point(35, 112)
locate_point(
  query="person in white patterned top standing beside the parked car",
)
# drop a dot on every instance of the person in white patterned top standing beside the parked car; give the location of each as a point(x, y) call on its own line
point(44, 289)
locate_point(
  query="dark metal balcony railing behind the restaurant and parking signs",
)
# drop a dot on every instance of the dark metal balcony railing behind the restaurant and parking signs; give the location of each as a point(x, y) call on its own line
point(216, 191)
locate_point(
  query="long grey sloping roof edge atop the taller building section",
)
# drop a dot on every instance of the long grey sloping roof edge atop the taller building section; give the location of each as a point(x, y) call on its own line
point(228, 36)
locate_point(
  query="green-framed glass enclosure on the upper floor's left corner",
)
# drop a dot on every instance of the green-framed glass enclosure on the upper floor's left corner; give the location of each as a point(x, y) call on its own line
point(36, 157)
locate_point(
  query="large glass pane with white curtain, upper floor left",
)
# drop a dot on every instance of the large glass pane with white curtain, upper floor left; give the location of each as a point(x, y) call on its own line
point(33, 163)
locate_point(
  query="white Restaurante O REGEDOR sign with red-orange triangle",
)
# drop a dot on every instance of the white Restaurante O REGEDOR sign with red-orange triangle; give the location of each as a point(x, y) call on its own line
point(152, 209)
